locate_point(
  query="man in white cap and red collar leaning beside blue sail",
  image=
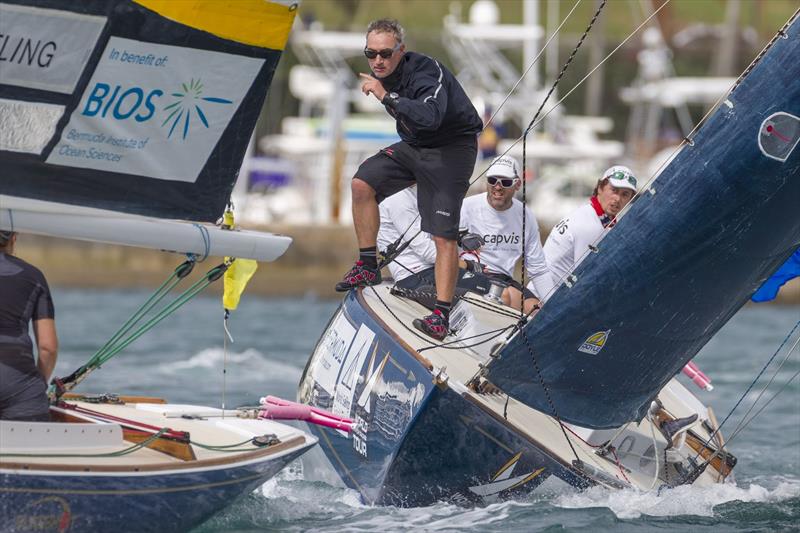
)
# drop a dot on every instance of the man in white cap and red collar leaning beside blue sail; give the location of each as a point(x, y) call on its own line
point(570, 239)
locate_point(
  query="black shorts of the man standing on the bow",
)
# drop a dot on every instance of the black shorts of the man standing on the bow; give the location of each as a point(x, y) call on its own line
point(442, 176)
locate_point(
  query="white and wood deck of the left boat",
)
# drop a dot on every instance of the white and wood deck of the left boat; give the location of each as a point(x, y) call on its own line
point(97, 436)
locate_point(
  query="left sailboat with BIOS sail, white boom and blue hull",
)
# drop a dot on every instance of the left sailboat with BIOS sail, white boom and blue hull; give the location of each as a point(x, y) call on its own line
point(126, 122)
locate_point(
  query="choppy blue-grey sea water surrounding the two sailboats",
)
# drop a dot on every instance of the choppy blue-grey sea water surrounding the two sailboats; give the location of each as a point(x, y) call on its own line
point(182, 360)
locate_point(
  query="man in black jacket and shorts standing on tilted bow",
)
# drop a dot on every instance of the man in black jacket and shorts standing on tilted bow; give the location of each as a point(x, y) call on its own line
point(438, 126)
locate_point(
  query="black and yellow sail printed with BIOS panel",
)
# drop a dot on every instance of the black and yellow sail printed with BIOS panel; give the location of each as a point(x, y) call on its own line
point(143, 107)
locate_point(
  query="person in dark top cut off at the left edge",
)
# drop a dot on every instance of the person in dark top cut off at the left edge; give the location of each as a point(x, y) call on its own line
point(24, 297)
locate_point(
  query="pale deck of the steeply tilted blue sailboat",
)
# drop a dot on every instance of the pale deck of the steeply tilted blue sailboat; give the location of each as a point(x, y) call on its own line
point(461, 361)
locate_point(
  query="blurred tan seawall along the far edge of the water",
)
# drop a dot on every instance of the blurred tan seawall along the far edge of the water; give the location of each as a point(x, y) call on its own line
point(311, 266)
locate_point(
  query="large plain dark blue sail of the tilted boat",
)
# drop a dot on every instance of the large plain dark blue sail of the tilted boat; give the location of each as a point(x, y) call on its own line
point(687, 254)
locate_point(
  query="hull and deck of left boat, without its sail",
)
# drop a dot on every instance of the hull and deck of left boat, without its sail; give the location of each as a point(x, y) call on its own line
point(135, 464)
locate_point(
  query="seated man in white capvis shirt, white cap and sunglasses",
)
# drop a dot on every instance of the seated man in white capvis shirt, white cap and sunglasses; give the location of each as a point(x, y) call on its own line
point(497, 217)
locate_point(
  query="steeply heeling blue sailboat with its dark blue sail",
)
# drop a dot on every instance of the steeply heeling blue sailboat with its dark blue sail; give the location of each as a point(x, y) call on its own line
point(583, 393)
